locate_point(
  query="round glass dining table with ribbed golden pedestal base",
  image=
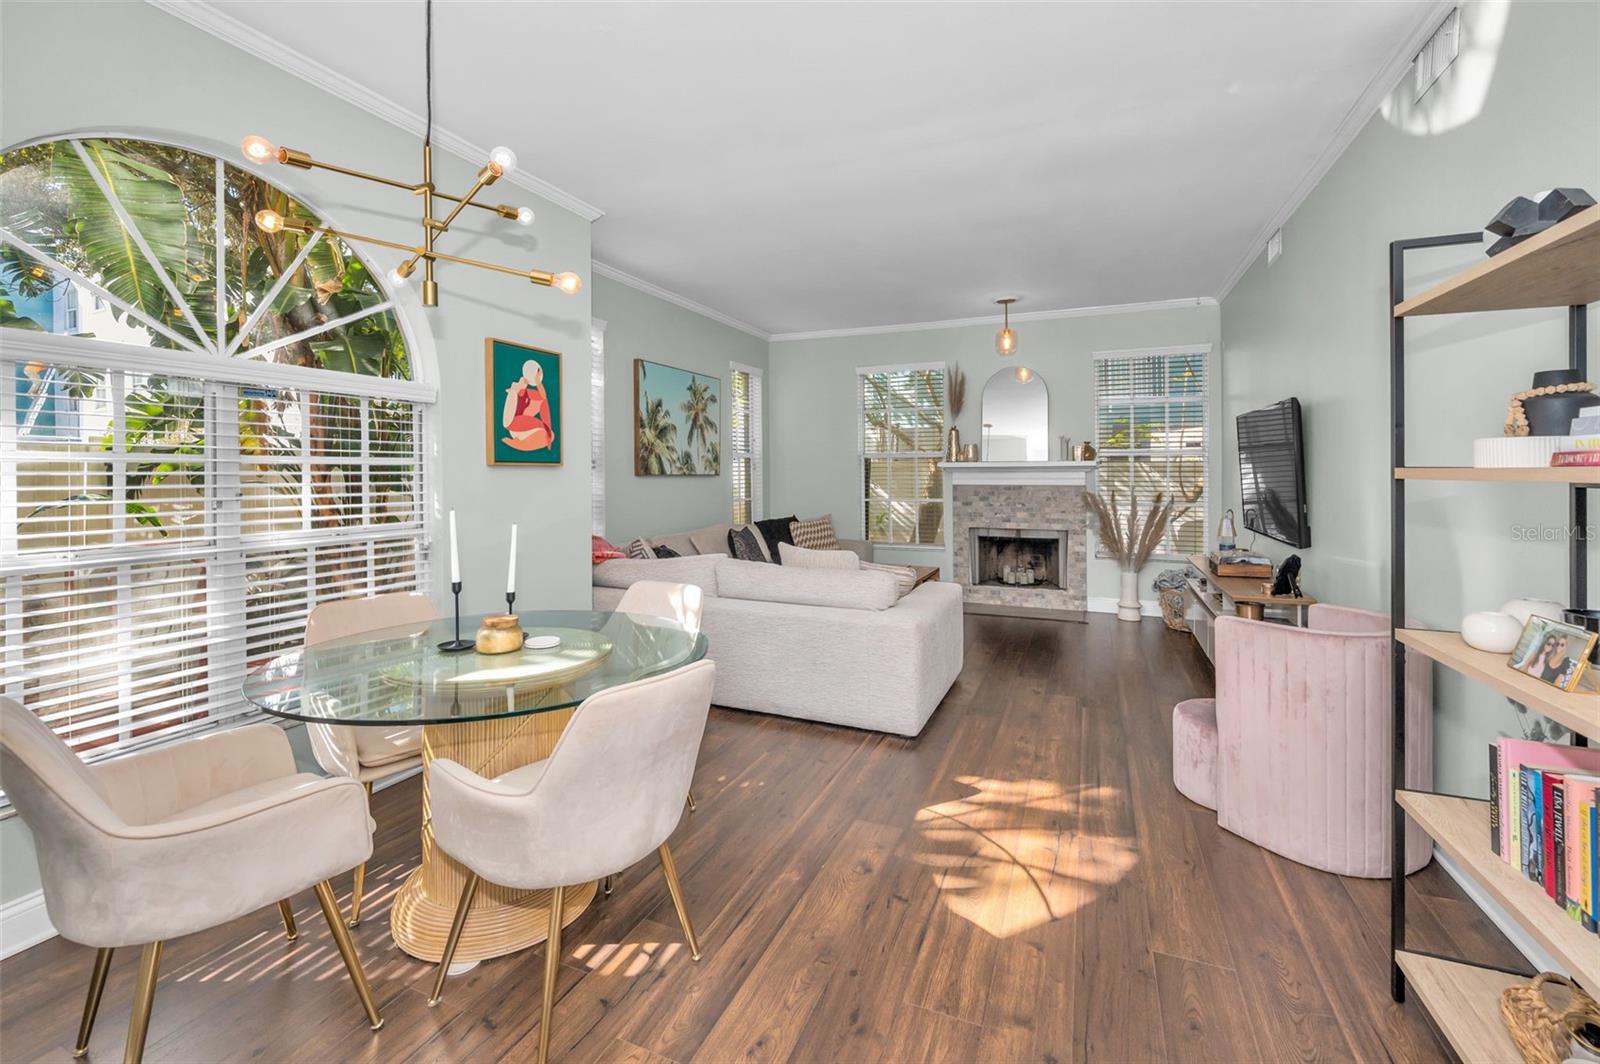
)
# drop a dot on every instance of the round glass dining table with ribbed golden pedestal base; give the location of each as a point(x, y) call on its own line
point(489, 713)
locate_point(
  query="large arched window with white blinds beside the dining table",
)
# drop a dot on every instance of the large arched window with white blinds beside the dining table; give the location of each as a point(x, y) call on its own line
point(204, 431)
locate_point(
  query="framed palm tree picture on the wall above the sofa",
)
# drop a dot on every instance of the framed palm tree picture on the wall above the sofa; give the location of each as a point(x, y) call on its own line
point(676, 422)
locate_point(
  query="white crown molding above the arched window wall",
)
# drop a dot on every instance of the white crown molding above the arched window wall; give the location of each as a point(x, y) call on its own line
point(284, 57)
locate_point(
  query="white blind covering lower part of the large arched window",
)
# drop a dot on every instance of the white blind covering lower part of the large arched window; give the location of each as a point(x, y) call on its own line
point(162, 535)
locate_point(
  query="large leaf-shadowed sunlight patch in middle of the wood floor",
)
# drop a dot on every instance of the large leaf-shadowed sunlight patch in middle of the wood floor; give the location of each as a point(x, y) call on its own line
point(1010, 858)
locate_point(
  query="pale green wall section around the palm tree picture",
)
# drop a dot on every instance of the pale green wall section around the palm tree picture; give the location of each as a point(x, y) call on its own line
point(639, 326)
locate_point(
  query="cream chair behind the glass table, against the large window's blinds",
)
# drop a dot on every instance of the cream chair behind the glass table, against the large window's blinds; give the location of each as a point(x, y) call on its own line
point(367, 754)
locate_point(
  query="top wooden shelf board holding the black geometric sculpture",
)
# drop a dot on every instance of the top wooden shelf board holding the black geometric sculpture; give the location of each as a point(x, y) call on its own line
point(1558, 268)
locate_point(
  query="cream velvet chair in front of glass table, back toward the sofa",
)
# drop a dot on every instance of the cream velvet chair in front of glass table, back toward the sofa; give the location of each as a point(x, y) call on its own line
point(610, 793)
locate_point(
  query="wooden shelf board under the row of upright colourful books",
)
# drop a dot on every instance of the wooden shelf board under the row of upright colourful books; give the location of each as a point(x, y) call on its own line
point(1462, 828)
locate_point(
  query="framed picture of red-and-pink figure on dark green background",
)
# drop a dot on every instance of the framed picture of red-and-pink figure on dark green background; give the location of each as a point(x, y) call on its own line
point(522, 404)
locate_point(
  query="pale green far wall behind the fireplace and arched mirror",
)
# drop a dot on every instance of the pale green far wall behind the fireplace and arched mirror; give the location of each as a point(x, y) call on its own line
point(814, 412)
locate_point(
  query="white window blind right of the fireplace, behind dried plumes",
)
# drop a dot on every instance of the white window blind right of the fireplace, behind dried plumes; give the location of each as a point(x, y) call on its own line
point(1153, 431)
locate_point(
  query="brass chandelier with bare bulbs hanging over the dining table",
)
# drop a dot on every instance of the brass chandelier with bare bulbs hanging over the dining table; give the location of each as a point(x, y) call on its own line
point(502, 161)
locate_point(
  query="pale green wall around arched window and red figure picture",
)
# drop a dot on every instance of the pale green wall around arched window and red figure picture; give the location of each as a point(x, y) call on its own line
point(137, 70)
